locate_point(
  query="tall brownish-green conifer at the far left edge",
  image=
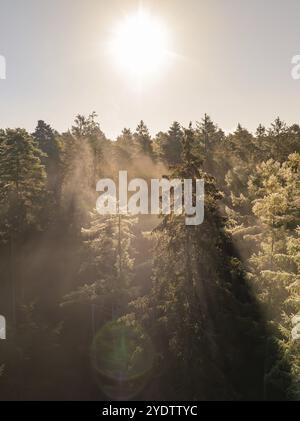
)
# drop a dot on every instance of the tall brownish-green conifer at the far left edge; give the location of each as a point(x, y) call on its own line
point(22, 197)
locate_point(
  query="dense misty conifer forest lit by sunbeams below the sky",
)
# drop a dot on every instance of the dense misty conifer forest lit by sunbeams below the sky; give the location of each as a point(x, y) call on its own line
point(144, 307)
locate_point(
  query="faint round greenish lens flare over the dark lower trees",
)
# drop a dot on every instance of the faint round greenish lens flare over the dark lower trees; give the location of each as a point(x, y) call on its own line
point(122, 358)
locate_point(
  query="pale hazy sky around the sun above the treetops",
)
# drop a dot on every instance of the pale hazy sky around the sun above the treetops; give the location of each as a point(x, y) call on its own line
point(232, 60)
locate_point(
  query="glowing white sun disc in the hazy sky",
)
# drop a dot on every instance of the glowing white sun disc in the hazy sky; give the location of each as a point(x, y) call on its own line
point(139, 45)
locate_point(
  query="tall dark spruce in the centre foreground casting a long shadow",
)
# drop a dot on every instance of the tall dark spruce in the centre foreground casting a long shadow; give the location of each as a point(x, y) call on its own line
point(187, 308)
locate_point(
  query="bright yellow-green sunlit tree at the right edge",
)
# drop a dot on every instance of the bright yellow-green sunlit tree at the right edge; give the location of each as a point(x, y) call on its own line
point(273, 268)
